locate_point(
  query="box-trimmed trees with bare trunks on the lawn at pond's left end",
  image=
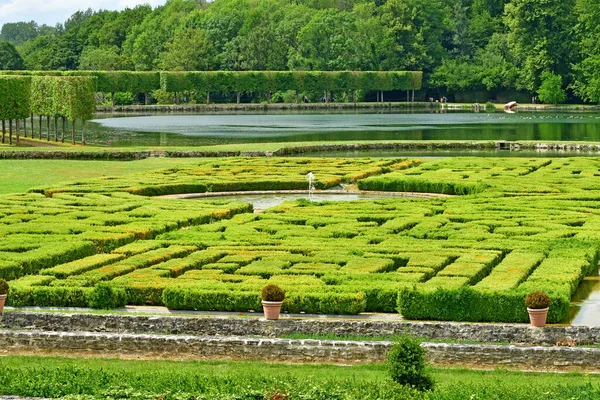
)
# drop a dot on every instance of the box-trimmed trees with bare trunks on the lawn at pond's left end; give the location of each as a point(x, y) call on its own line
point(54, 97)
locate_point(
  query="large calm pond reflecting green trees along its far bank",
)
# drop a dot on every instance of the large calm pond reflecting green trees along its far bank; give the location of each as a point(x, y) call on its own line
point(200, 130)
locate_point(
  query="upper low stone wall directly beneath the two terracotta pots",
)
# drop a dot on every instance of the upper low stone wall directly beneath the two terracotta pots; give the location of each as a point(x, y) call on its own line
point(255, 326)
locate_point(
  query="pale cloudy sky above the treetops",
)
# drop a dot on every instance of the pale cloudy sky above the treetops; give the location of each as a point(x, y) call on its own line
point(51, 12)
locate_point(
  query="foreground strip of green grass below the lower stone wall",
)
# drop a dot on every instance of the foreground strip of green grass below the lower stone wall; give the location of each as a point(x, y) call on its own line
point(56, 376)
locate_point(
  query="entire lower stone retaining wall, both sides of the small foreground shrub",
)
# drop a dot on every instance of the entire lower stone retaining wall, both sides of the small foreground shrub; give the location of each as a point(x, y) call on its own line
point(303, 351)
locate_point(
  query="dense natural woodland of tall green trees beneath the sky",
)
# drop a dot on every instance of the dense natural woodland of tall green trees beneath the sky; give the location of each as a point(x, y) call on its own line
point(479, 46)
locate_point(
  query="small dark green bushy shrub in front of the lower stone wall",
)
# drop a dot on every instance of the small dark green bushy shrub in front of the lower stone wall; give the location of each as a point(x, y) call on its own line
point(406, 364)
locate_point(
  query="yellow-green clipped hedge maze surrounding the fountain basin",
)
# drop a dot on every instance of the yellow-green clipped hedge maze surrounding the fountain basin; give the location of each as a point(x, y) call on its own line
point(514, 226)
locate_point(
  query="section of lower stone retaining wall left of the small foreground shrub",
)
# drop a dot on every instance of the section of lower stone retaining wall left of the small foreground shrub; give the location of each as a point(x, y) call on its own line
point(190, 347)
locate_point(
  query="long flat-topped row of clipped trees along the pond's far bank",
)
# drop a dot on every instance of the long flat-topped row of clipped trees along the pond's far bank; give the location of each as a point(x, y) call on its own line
point(246, 81)
